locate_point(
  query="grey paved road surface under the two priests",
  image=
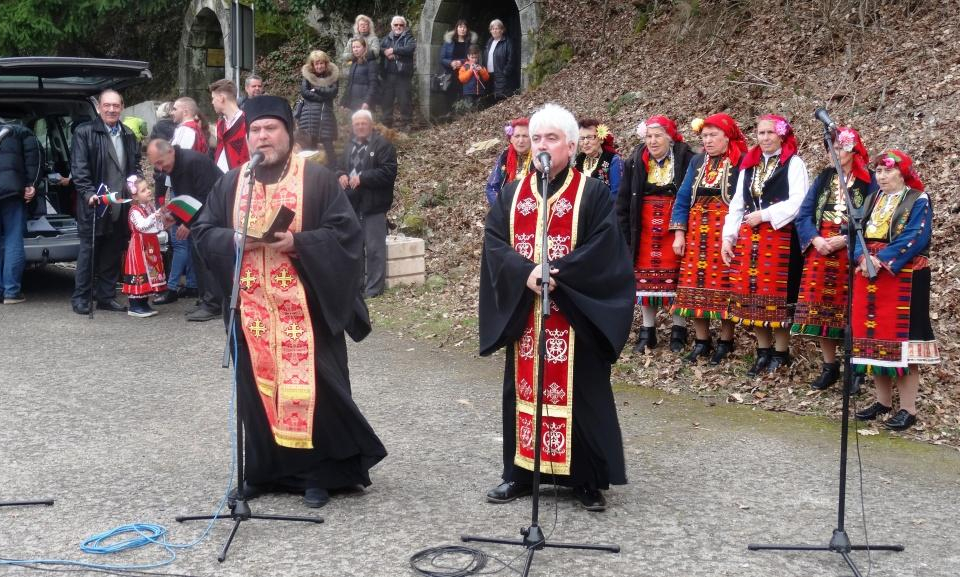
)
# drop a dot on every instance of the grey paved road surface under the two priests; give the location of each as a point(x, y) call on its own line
point(124, 420)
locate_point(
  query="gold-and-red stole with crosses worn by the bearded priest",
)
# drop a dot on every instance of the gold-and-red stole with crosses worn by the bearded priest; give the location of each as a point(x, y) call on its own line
point(275, 318)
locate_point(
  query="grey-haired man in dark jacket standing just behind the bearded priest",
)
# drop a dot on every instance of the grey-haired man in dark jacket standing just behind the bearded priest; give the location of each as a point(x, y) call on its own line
point(367, 174)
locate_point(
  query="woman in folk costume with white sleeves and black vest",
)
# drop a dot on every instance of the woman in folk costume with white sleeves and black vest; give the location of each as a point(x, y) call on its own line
point(759, 242)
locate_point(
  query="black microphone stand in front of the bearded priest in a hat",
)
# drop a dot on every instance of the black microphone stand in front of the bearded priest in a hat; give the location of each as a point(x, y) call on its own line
point(240, 510)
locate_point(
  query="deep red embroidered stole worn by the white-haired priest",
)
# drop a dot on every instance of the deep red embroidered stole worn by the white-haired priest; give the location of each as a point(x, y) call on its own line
point(526, 234)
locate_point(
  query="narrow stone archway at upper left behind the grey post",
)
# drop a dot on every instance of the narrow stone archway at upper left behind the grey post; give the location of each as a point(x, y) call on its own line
point(205, 50)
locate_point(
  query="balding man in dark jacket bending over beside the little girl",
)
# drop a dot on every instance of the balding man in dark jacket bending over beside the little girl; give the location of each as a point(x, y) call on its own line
point(194, 174)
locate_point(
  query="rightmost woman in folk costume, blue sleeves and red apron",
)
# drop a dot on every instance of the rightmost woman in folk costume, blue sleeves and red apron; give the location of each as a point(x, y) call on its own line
point(887, 343)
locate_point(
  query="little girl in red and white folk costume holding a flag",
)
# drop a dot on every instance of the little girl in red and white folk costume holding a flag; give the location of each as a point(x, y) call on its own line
point(143, 266)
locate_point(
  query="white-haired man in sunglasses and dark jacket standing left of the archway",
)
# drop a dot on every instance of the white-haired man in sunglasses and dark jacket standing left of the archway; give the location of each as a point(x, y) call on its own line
point(397, 48)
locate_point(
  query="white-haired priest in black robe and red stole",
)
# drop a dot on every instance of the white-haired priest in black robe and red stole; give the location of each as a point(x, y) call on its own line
point(594, 289)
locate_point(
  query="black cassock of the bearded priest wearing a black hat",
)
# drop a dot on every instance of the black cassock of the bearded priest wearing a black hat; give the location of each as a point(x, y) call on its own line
point(330, 263)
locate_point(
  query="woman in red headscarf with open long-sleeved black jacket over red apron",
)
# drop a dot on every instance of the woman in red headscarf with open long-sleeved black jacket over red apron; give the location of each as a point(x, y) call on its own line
point(651, 178)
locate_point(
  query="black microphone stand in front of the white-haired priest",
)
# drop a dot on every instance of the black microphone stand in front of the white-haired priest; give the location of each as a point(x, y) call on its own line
point(533, 538)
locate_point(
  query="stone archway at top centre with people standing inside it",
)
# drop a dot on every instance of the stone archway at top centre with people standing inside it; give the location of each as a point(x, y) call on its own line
point(521, 17)
